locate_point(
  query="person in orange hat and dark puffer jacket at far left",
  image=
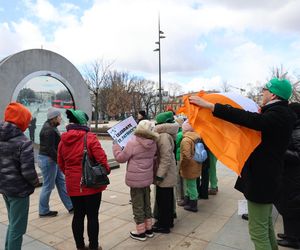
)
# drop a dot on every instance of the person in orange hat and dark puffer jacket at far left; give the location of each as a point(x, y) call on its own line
point(18, 177)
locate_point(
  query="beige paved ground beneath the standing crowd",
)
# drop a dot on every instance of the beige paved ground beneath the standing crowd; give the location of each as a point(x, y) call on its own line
point(216, 226)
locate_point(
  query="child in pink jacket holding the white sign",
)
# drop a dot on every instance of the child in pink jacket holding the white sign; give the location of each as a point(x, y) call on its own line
point(139, 154)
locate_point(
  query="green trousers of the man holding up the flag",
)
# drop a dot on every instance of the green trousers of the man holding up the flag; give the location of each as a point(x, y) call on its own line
point(260, 225)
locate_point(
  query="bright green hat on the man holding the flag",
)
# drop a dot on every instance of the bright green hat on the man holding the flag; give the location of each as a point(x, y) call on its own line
point(280, 87)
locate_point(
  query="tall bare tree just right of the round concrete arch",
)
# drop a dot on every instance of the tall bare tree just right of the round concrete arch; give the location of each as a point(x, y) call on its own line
point(96, 75)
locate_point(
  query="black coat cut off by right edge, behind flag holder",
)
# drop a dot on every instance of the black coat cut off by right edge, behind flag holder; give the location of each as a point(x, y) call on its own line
point(289, 204)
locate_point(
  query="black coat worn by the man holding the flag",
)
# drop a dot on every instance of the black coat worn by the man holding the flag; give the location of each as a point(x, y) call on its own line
point(260, 177)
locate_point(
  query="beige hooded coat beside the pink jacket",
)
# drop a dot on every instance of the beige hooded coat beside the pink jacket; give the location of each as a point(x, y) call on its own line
point(166, 157)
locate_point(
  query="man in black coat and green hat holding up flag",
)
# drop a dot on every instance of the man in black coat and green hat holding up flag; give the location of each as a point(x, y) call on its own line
point(260, 177)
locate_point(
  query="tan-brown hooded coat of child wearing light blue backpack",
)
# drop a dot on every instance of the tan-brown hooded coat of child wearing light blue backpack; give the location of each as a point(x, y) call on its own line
point(189, 168)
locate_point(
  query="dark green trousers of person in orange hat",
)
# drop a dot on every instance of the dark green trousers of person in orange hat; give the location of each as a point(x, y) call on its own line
point(17, 211)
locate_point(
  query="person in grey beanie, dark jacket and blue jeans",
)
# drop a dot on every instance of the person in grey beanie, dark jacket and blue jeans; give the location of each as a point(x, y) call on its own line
point(52, 175)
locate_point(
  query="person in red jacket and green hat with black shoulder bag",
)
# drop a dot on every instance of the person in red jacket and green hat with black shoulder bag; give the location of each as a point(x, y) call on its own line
point(86, 201)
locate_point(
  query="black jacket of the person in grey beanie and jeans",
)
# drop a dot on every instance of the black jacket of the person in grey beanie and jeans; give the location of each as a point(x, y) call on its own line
point(49, 140)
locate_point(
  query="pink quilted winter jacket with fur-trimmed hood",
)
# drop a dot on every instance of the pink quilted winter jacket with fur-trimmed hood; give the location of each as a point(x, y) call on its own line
point(139, 153)
